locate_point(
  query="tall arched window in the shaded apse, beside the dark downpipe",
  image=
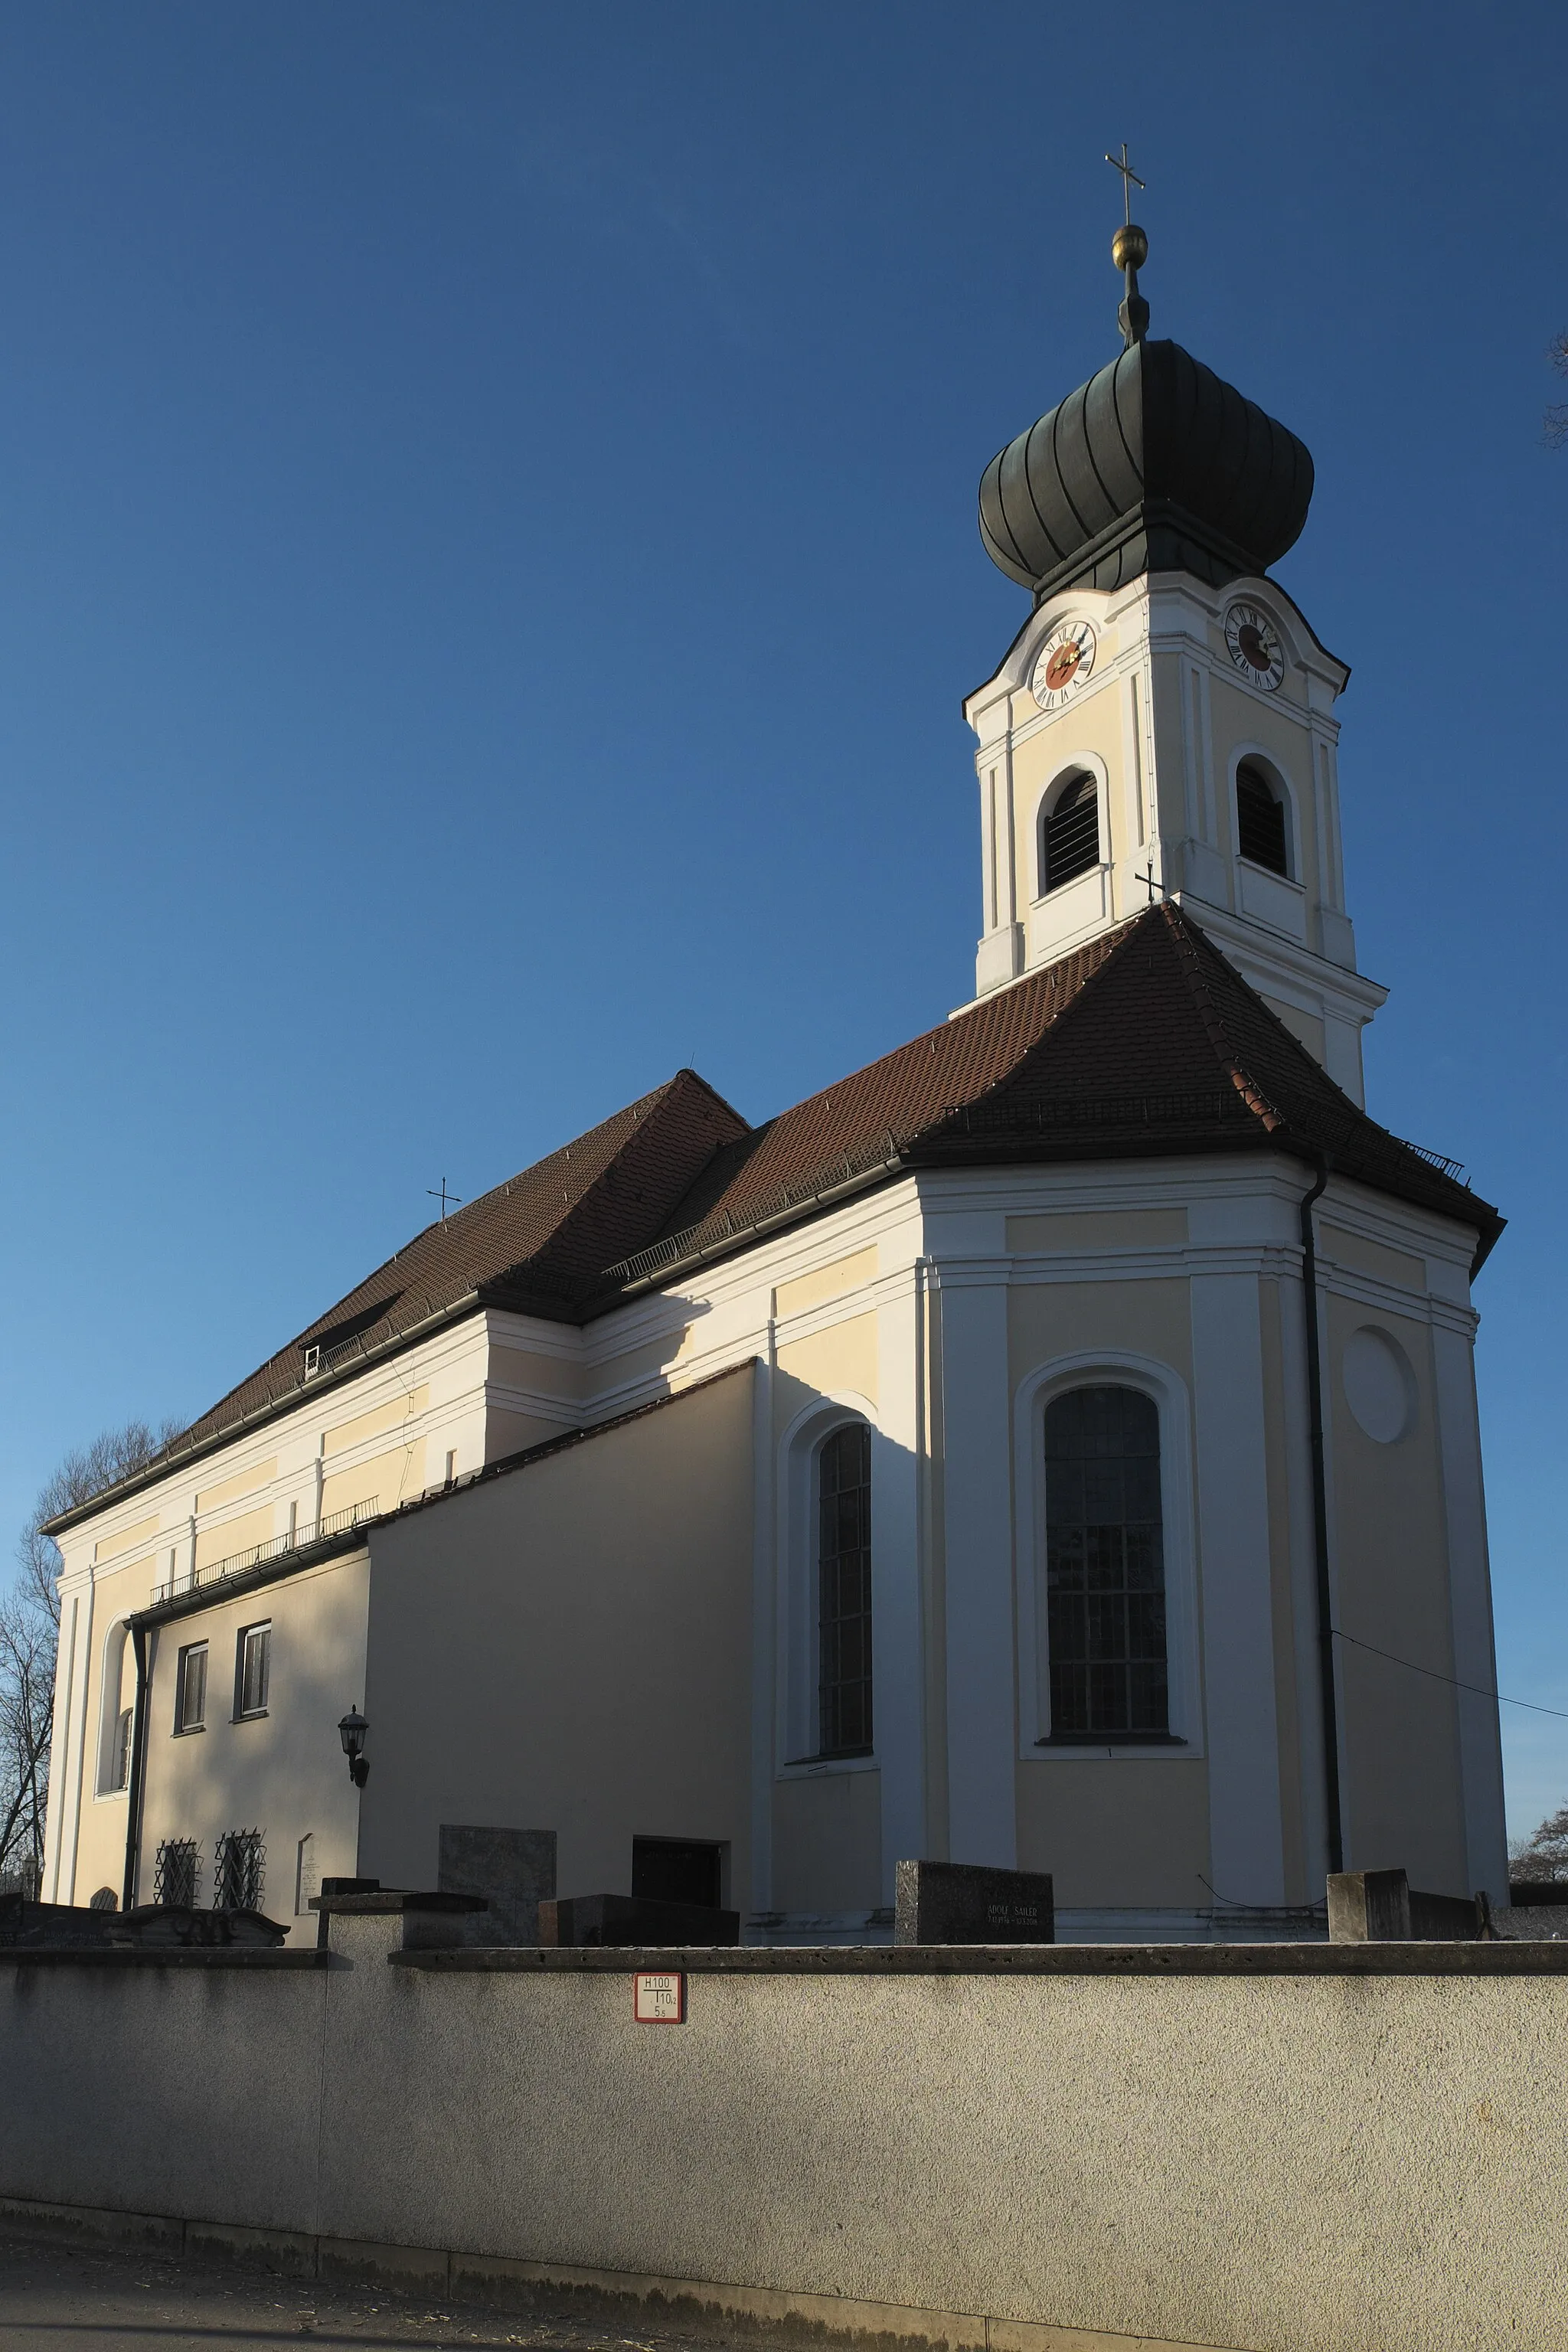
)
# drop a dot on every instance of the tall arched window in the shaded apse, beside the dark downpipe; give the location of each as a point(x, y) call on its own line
point(1106, 1582)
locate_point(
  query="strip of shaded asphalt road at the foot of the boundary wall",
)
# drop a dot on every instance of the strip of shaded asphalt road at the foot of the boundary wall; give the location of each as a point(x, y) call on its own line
point(67, 2297)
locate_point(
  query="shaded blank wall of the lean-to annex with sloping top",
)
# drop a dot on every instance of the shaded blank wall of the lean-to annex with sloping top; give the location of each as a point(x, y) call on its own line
point(568, 1648)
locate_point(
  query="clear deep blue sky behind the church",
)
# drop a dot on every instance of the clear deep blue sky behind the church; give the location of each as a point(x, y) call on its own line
point(488, 580)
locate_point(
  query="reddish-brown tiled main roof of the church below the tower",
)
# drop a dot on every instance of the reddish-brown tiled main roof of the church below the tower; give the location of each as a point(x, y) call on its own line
point(1139, 1045)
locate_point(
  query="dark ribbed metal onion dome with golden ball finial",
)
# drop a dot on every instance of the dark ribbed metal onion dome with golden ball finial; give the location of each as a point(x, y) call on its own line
point(1151, 467)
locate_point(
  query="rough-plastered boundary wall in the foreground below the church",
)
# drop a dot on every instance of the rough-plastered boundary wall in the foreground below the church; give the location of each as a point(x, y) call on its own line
point(1038, 2151)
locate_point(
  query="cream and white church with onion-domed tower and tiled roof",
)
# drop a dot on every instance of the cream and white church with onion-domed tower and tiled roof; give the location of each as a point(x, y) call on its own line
point(1052, 1445)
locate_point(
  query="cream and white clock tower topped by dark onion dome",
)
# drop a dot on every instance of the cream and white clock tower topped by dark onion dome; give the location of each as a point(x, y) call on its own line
point(1162, 726)
